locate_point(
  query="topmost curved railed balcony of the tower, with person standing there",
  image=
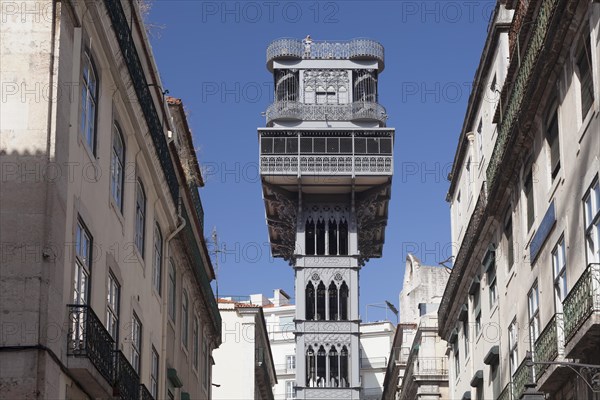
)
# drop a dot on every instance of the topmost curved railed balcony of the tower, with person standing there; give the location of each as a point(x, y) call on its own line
point(355, 49)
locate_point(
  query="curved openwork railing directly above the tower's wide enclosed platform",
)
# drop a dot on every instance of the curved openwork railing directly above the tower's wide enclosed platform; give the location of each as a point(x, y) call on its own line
point(326, 112)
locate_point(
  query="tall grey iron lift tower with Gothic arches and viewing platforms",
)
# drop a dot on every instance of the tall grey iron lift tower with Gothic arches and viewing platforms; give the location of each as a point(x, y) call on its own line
point(326, 165)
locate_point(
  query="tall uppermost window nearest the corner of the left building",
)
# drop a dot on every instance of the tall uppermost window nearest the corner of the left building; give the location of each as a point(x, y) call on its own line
point(89, 101)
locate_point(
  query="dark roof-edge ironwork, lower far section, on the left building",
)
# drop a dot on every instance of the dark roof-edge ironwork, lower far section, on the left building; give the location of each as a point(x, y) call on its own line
point(199, 270)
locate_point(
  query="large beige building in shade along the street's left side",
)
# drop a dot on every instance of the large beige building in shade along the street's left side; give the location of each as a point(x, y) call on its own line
point(105, 278)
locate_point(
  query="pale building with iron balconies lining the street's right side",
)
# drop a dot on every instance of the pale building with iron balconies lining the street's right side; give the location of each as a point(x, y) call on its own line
point(525, 209)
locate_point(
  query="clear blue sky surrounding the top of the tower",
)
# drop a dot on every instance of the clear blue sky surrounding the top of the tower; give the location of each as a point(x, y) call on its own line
point(212, 55)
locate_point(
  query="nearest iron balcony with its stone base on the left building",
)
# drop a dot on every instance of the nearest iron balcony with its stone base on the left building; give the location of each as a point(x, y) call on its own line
point(89, 342)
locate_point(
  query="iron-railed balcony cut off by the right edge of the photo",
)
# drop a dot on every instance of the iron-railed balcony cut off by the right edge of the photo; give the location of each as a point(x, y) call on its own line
point(581, 308)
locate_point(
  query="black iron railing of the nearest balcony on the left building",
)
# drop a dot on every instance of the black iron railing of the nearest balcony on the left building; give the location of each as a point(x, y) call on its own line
point(88, 338)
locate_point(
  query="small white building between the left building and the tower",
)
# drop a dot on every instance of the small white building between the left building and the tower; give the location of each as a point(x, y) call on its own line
point(244, 366)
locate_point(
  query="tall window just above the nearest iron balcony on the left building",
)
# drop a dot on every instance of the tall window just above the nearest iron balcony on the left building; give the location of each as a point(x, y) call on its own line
point(83, 263)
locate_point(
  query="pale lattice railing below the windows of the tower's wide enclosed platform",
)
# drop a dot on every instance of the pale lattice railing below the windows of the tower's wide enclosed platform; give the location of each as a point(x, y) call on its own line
point(326, 164)
